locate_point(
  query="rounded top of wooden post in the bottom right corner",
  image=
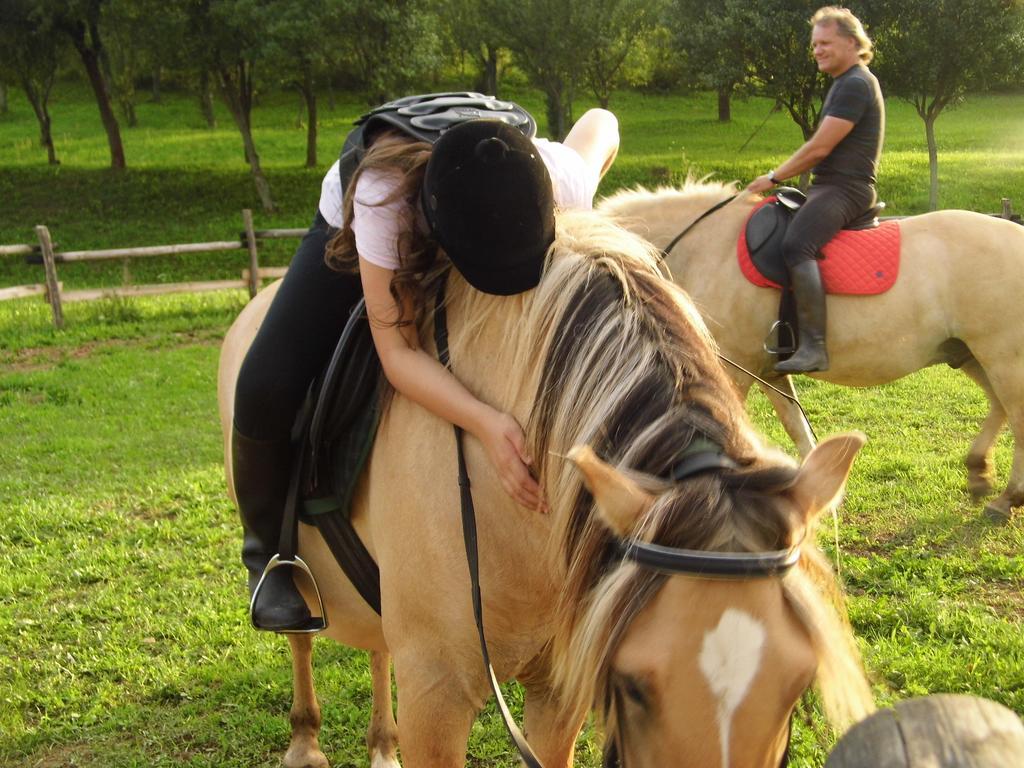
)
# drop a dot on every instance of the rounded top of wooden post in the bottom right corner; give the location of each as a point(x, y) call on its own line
point(937, 732)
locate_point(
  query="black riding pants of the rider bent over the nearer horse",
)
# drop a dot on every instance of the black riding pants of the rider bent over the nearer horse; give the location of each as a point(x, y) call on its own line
point(296, 339)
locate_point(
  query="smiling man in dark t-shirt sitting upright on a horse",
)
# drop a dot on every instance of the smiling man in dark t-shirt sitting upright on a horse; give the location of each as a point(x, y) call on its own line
point(844, 156)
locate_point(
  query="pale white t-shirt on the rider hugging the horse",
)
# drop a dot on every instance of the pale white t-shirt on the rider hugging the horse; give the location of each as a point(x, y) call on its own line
point(378, 227)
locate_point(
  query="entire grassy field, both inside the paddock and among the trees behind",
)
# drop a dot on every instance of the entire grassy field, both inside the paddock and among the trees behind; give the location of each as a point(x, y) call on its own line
point(123, 635)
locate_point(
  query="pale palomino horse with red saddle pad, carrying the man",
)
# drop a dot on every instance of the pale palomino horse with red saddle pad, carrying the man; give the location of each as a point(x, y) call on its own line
point(956, 301)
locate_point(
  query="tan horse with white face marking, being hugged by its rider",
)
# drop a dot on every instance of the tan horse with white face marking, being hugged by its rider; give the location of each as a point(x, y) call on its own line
point(684, 671)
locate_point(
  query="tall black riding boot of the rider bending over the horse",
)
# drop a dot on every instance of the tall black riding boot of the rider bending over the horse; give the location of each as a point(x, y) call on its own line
point(261, 470)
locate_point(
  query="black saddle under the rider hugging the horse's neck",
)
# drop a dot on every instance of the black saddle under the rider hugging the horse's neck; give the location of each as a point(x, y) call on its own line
point(337, 428)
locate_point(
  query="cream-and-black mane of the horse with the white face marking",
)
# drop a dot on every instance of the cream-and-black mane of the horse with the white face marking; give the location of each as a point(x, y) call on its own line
point(629, 368)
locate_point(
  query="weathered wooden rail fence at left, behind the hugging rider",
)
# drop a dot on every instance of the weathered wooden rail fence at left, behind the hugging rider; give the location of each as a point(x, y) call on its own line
point(54, 291)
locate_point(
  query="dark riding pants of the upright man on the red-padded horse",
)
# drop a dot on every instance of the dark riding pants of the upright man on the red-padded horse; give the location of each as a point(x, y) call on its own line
point(830, 207)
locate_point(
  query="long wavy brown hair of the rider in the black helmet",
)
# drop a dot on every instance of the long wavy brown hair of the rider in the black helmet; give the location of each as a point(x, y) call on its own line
point(420, 258)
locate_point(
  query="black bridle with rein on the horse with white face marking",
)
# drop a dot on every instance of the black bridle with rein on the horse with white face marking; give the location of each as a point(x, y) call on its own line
point(702, 456)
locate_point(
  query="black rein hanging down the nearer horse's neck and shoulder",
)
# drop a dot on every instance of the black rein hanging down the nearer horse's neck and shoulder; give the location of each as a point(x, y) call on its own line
point(473, 552)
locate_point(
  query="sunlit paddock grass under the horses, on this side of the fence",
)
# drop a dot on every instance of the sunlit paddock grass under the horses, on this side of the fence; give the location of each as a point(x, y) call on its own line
point(123, 638)
